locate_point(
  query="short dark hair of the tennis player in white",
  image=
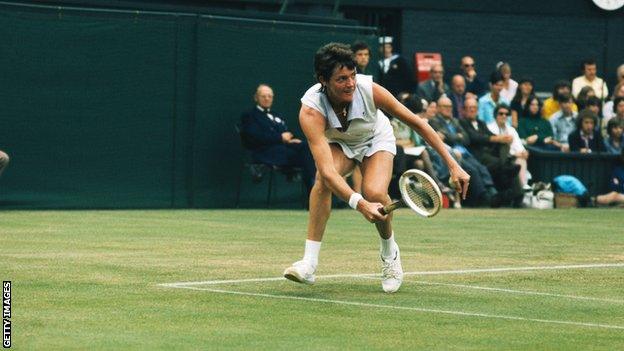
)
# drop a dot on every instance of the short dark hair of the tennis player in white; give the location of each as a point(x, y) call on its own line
point(330, 57)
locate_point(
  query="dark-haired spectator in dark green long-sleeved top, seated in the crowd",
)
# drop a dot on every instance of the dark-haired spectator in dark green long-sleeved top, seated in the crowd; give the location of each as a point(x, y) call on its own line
point(535, 131)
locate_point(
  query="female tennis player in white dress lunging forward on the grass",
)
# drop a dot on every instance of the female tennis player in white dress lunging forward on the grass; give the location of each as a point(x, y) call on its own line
point(342, 120)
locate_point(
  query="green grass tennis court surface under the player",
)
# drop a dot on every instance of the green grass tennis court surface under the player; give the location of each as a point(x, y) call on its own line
point(89, 280)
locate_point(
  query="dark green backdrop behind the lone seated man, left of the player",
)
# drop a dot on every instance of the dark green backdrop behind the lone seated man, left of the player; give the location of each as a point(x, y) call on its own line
point(110, 109)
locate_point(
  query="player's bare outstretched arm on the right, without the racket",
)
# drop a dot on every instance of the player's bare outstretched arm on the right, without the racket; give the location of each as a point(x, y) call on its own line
point(384, 100)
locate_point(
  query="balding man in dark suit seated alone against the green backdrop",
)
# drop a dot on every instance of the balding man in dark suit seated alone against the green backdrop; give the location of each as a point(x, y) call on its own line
point(267, 137)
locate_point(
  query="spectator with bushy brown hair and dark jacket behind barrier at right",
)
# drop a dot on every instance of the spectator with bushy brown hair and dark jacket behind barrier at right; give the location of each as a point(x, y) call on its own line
point(586, 139)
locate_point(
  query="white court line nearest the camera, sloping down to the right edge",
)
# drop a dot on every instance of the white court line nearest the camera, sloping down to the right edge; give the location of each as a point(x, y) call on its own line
point(418, 309)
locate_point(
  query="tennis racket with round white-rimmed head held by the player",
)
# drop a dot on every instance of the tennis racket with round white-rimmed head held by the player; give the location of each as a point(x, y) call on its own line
point(419, 192)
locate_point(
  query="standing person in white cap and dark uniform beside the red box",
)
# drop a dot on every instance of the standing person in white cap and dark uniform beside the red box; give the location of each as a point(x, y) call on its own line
point(395, 74)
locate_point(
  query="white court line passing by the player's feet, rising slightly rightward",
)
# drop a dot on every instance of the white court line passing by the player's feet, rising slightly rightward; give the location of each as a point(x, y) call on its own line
point(363, 275)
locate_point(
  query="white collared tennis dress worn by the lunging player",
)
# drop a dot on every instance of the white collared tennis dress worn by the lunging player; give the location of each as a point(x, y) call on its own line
point(369, 129)
